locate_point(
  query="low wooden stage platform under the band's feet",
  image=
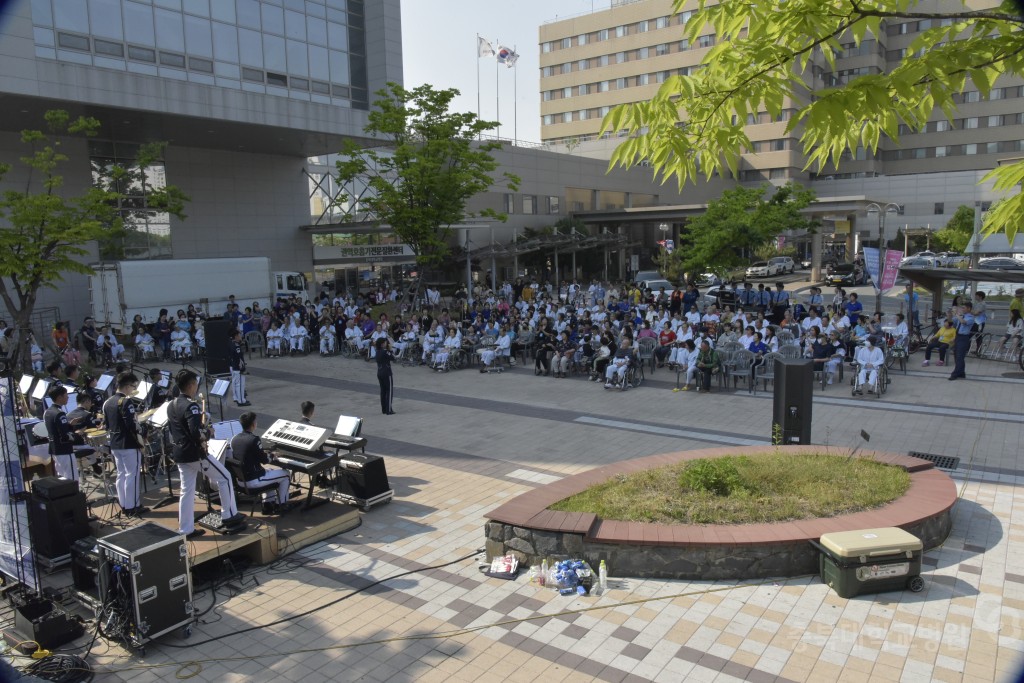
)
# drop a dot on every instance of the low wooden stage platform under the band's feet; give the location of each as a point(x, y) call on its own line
point(263, 541)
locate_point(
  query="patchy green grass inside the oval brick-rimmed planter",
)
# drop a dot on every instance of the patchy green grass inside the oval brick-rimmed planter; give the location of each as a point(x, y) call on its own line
point(744, 491)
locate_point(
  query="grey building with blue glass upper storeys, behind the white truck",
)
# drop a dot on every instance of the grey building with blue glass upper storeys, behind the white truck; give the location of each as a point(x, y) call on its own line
point(244, 92)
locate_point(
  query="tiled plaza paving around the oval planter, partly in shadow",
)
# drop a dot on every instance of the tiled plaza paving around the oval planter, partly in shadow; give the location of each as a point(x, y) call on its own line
point(463, 443)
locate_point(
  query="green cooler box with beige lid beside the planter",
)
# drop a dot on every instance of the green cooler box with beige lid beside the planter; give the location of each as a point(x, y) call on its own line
point(871, 561)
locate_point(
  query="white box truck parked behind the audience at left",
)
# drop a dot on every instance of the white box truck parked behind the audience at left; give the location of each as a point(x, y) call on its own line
point(121, 290)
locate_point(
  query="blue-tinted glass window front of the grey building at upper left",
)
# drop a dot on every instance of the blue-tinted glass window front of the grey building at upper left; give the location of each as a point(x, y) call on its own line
point(314, 51)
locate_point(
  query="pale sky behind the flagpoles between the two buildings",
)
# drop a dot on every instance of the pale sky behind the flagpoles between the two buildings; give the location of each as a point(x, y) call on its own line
point(440, 49)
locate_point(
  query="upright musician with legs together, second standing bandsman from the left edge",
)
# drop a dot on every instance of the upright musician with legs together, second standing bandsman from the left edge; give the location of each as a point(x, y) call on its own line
point(119, 415)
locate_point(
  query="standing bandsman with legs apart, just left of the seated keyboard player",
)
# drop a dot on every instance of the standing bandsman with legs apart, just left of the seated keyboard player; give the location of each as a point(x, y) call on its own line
point(189, 438)
